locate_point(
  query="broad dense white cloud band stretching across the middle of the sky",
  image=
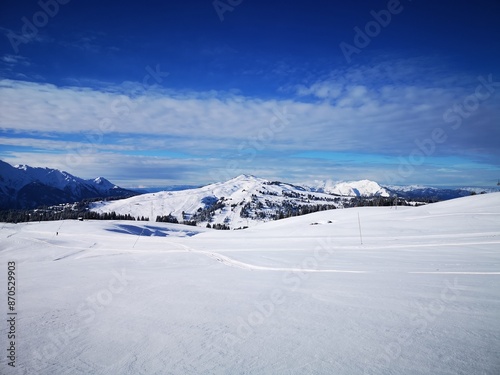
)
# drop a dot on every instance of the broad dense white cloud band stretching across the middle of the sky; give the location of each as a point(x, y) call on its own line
point(360, 118)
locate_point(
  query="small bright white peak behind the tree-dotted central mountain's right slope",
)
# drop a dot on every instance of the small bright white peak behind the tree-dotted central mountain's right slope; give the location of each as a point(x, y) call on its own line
point(362, 188)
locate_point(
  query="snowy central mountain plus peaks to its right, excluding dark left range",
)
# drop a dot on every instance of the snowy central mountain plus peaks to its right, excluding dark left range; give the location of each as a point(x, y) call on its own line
point(247, 200)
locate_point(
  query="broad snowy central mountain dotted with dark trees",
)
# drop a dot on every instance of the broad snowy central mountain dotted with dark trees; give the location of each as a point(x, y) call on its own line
point(240, 202)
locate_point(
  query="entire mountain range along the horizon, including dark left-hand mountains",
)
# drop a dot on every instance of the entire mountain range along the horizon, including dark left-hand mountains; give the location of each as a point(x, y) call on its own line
point(239, 201)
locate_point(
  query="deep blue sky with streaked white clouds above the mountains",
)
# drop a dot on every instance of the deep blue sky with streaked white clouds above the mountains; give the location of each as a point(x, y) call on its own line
point(190, 92)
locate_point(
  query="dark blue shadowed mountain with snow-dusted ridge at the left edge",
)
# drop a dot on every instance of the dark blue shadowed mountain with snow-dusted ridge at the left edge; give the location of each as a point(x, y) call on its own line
point(22, 186)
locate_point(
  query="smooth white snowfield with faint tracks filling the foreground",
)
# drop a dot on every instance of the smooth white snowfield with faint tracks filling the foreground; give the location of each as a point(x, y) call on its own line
point(420, 295)
